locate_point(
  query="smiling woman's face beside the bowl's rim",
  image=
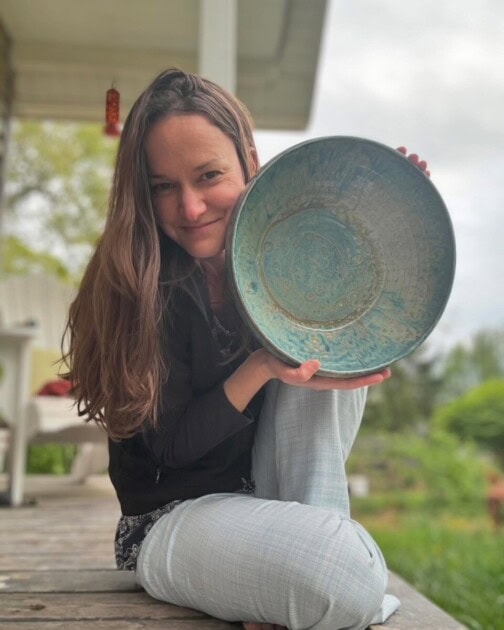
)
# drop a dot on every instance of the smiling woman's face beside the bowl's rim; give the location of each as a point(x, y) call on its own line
point(195, 179)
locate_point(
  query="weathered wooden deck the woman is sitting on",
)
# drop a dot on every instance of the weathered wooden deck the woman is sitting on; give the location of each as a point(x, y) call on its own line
point(57, 571)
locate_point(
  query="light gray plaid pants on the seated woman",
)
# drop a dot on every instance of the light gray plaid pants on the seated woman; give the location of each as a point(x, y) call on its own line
point(292, 557)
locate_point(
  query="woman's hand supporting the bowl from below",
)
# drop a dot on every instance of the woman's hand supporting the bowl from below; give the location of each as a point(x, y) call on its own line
point(305, 376)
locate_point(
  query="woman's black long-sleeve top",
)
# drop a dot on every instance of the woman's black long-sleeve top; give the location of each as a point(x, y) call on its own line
point(201, 444)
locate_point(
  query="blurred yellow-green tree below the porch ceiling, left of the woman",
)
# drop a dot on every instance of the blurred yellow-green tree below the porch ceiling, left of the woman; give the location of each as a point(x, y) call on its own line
point(57, 183)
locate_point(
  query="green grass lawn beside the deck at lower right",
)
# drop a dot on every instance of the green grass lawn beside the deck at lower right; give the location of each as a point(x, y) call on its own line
point(456, 561)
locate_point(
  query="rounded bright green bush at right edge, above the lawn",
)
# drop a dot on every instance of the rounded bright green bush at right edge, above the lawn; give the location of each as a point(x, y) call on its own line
point(477, 415)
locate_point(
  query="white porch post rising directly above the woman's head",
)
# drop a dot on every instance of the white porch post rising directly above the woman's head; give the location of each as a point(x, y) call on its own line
point(217, 42)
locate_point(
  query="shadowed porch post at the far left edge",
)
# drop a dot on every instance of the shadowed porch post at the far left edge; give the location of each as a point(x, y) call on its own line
point(6, 96)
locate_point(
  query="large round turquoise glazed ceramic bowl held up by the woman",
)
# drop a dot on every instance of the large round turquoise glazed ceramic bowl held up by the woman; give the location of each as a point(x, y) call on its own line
point(341, 250)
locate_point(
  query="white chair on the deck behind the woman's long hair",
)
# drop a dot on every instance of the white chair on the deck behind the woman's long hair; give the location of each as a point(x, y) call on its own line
point(33, 310)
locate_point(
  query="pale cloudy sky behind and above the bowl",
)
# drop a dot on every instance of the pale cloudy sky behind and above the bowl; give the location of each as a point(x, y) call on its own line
point(428, 75)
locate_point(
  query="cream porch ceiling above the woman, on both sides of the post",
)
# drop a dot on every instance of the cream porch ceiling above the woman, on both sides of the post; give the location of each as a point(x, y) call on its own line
point(66, 53)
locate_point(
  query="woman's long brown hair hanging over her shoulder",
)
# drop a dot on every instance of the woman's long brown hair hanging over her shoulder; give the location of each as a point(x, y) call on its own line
point(113, 329)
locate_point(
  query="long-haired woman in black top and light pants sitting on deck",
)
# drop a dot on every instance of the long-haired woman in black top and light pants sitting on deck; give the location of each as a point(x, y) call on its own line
point(243, 519)
